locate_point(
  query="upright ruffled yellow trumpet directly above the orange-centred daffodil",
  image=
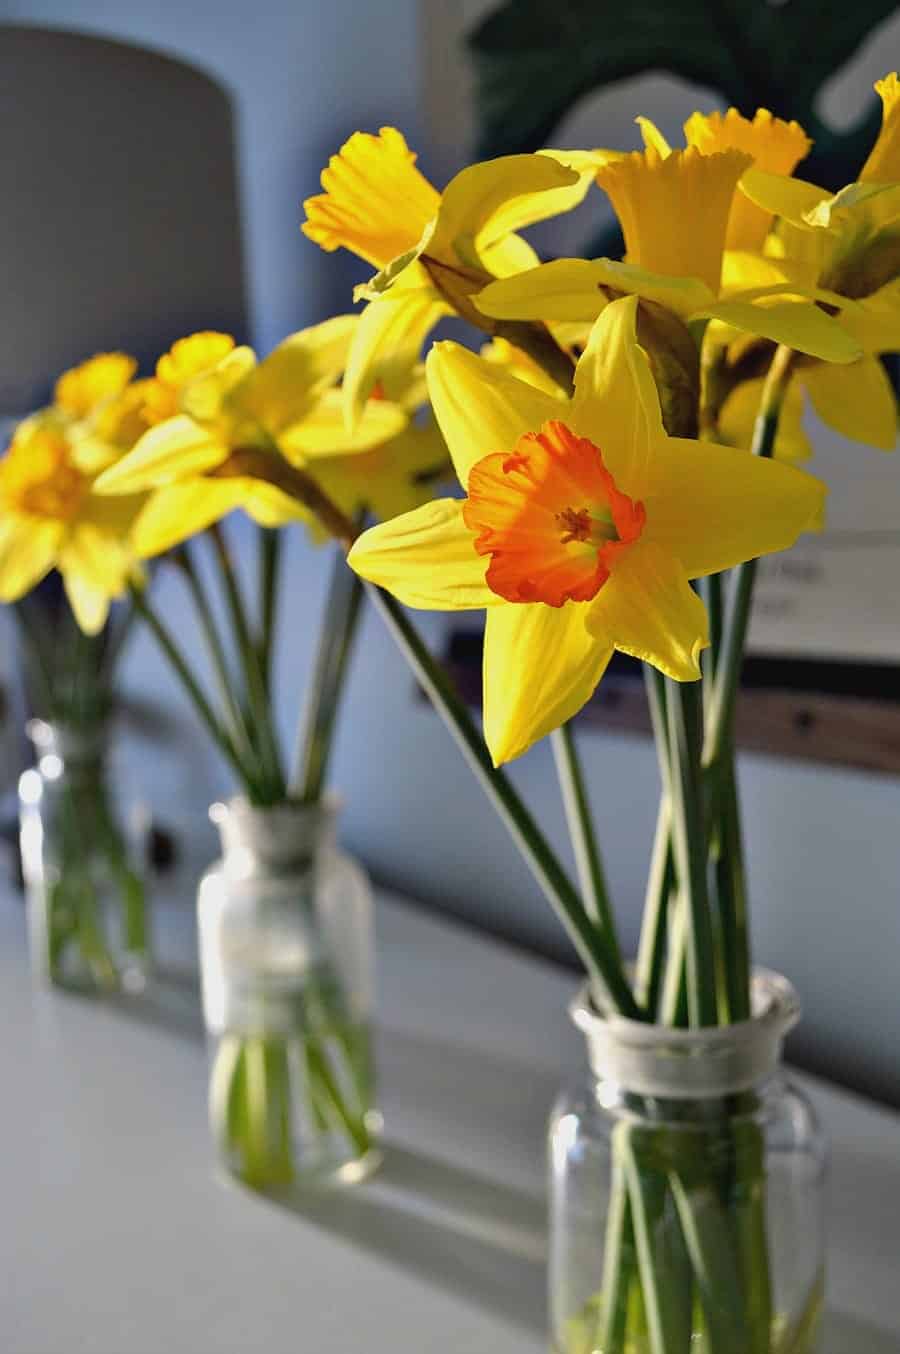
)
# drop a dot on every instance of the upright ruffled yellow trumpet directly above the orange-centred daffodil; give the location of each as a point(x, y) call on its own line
point(675, 211)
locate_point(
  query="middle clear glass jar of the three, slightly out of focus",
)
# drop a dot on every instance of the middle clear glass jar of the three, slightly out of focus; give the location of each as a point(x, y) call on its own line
point(286, 966)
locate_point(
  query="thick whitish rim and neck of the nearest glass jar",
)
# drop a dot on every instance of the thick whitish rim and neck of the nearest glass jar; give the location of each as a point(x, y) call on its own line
point(718, 1061)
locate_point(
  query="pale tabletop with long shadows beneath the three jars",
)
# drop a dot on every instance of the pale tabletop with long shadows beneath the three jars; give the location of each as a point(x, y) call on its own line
point(117, 1237)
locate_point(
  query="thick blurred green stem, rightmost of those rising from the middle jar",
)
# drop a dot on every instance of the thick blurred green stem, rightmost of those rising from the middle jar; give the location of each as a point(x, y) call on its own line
point(316, 735)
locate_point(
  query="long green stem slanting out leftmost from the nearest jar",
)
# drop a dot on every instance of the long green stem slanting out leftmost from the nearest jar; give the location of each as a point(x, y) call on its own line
point(592, 946)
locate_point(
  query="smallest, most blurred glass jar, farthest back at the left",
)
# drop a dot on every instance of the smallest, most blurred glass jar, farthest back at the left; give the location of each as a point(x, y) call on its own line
point(83, 866)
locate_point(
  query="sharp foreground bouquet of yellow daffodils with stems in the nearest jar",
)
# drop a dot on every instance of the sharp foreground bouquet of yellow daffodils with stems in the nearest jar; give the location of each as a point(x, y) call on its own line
point(627, 446)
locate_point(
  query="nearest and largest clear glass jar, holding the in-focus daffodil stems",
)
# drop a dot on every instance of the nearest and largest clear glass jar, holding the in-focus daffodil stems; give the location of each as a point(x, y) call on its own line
point(687, 1191)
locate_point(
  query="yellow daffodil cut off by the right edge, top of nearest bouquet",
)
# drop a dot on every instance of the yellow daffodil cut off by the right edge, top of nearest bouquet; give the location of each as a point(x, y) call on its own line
point(849, 244)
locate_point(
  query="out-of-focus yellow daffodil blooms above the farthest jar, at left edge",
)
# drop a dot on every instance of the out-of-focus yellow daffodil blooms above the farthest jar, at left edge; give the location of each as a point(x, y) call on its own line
point(51, 514)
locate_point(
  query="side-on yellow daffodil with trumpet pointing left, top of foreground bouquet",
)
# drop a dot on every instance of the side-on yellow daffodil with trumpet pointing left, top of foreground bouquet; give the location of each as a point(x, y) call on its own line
point(434, 251)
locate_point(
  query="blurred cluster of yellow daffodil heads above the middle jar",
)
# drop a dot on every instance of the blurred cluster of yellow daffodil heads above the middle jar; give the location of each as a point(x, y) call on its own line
point(286, 408)
